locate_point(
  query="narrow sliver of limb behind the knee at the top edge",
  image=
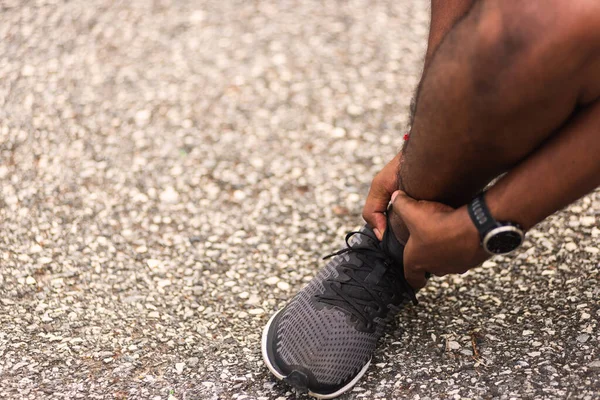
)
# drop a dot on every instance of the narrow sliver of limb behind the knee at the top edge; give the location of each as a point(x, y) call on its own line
point(444, 14)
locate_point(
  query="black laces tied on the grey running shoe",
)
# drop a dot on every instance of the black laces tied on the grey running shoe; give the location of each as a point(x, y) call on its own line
point(369, 257)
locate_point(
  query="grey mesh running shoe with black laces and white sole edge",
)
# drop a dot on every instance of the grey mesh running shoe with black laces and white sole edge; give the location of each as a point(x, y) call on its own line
point(323, 339)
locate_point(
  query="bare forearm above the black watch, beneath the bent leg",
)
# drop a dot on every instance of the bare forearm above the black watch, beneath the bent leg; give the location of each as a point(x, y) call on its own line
point(558, 173)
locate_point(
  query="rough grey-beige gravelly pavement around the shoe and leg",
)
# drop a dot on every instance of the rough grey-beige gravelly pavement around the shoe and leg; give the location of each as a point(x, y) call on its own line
point(172, 171)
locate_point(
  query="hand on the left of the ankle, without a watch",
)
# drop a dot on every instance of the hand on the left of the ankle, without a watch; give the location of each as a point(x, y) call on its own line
point(380, 194)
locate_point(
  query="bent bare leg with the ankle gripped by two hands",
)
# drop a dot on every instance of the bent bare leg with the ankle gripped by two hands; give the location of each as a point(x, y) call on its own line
point(503, 80)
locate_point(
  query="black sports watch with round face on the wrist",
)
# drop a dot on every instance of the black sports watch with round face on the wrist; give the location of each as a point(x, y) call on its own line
point(497, 237)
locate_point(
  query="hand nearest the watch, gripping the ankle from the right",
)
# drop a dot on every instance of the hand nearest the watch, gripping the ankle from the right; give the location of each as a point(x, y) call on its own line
point(442, 241)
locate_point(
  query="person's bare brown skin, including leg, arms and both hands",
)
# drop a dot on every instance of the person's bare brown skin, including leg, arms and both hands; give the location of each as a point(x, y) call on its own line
point(512, 87)
